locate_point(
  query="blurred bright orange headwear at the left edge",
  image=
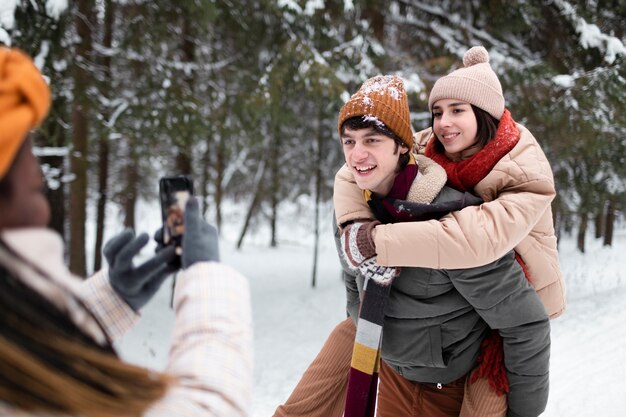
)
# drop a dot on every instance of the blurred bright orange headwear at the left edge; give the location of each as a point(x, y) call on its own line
point(24, 102)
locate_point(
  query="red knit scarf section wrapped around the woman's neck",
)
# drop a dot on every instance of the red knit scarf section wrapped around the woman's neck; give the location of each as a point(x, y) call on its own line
point(464, 175)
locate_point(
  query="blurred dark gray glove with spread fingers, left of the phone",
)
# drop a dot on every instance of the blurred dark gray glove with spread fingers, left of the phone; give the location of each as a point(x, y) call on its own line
point(136, 284)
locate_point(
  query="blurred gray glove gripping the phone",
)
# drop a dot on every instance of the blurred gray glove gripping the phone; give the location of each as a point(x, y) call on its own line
point(200, 242)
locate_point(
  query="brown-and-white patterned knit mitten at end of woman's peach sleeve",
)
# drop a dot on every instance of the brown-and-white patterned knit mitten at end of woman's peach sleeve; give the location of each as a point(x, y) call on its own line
point(357, 244)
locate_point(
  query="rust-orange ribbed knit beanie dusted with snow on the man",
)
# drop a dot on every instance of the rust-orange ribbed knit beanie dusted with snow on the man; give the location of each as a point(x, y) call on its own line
point(383, 98)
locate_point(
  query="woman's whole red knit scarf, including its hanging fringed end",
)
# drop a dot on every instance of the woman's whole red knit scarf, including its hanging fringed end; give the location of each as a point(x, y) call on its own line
point(463, 176)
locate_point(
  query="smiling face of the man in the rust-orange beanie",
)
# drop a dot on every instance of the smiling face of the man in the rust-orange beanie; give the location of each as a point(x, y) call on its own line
point(373, 159)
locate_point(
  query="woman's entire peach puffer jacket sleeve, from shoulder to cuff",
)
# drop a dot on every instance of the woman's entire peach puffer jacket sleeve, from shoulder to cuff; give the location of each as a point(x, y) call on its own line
point(518, 192)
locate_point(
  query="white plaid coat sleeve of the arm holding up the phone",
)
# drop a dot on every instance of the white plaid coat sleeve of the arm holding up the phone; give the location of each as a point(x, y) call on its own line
point(211, 352)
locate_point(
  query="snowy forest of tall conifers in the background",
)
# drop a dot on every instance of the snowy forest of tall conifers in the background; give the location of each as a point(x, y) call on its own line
point(244, 94)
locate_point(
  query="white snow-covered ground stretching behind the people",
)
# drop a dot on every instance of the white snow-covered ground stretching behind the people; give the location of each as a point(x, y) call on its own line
point(292, 319)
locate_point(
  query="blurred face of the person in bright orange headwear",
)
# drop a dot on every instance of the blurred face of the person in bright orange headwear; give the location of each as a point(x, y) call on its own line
point(26, 205)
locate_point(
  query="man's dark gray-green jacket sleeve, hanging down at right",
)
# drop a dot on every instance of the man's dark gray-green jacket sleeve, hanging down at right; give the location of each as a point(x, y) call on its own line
point(507, 302)
